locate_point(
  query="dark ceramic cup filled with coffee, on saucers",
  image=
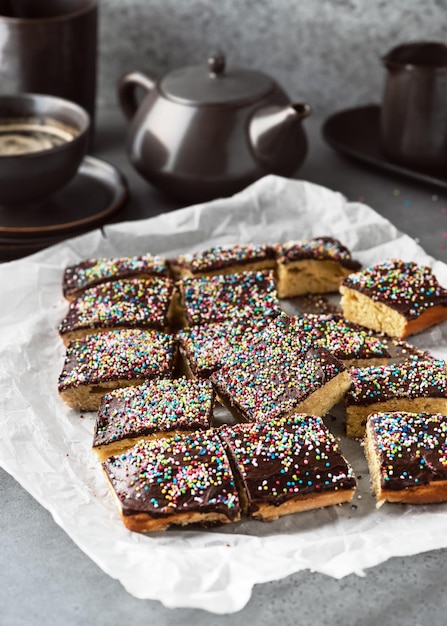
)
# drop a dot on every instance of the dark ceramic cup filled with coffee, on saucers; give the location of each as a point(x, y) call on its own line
point(43, 140)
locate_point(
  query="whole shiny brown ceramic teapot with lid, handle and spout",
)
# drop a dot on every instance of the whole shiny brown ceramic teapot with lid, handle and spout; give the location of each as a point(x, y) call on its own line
point(207, 131)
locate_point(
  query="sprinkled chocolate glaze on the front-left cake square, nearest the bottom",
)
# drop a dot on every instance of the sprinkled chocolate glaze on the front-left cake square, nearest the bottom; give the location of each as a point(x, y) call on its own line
point(162, 477)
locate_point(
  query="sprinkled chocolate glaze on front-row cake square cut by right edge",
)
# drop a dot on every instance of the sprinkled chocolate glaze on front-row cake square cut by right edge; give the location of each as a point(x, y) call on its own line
point(411, 447)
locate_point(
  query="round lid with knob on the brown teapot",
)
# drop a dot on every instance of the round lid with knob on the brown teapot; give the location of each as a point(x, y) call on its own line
point(212, 85)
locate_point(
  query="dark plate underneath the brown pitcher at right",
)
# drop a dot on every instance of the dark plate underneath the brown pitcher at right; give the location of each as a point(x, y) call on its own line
point(355, 133)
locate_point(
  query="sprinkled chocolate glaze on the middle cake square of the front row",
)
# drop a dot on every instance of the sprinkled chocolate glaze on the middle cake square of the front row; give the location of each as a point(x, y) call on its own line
point(283, 459)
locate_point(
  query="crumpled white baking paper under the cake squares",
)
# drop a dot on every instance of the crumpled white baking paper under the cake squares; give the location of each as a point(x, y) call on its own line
point(47, 447)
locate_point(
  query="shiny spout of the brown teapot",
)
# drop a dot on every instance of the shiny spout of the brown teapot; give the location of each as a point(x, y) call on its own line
point(277, 138)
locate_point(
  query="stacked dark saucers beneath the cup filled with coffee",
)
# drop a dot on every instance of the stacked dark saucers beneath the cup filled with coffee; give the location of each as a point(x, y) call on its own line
point(96, 193)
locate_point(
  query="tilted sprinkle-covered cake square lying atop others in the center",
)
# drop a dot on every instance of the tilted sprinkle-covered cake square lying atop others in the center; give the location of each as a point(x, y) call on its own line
point(280, 374)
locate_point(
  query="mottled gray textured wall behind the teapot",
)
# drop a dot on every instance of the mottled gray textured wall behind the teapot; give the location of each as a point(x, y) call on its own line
point(324, 52)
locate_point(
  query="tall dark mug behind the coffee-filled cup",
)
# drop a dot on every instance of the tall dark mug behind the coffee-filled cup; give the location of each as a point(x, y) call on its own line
point(50, 47)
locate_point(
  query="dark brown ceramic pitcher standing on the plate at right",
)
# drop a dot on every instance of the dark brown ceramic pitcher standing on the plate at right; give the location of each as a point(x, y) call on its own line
point(413, 128)
